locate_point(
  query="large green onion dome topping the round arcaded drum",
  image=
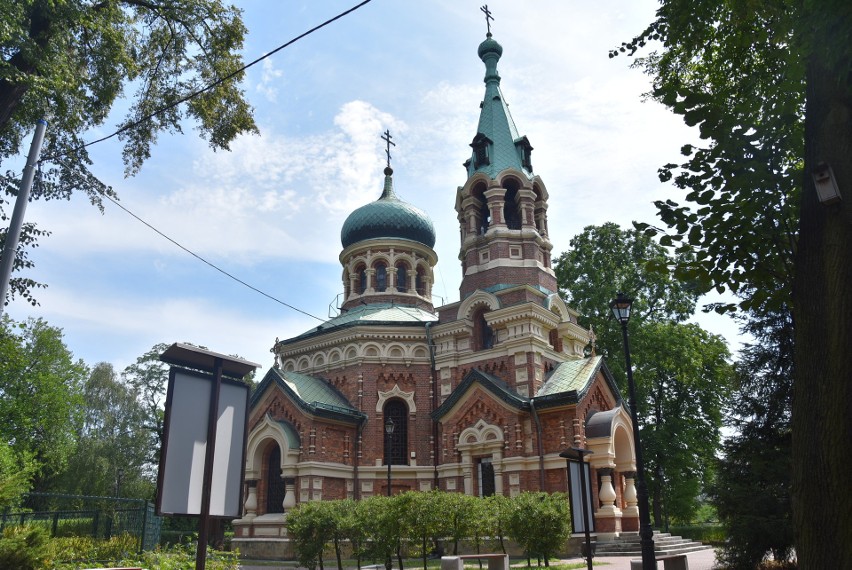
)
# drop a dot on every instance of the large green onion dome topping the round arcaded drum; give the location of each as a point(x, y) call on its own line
point(388, 217)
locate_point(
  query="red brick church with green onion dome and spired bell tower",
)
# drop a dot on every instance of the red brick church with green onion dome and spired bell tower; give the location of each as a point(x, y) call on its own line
point(478, 396)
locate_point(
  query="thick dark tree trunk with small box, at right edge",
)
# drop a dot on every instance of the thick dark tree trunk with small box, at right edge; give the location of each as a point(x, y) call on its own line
point(822, 310)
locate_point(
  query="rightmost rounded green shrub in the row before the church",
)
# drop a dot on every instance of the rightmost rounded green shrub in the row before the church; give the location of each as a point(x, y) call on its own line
point(538, 523)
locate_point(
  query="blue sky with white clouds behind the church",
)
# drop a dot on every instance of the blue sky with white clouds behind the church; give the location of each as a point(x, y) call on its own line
point(270, 211)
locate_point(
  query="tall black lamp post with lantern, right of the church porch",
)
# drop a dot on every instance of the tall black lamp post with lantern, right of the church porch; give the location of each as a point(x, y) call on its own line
point(620, 307)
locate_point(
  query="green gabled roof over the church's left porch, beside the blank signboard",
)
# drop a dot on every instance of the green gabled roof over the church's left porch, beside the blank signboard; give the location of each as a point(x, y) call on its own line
point(314, 395)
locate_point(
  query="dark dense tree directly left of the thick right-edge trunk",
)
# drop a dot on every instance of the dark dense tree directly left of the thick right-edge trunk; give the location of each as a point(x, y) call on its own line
point(752, 492)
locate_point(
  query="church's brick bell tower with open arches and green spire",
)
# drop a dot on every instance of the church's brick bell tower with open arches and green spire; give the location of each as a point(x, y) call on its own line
point(502, 208)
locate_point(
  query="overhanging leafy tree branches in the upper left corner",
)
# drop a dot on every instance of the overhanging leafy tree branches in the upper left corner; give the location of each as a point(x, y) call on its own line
point(75, 59)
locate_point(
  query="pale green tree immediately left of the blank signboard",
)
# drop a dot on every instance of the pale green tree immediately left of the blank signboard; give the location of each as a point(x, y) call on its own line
point(112, 452)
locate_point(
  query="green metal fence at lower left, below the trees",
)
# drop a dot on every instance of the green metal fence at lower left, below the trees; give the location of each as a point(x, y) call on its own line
point(97, 517)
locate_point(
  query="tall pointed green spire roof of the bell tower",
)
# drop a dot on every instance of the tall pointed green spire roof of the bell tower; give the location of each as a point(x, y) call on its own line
point(495, 121)
